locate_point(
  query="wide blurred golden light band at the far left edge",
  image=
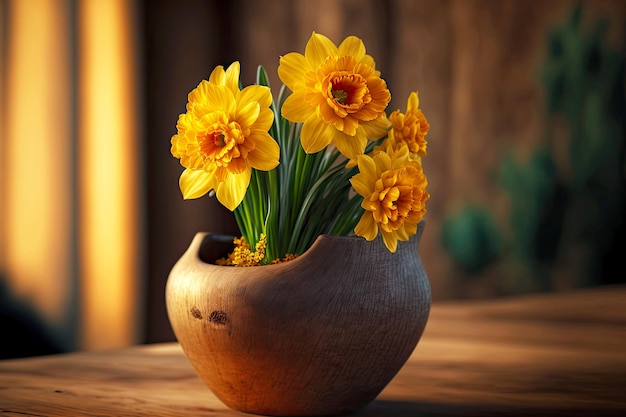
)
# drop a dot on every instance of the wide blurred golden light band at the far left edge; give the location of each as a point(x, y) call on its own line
point(36, 170)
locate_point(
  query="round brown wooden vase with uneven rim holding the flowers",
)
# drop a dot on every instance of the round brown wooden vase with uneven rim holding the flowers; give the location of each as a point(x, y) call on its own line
point(319, 335)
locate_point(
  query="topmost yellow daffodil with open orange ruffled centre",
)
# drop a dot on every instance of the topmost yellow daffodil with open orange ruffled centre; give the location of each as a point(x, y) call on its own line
point(337, 94)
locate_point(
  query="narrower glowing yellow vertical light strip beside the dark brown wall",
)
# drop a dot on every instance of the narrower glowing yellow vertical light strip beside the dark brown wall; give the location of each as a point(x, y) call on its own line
point(108, 158)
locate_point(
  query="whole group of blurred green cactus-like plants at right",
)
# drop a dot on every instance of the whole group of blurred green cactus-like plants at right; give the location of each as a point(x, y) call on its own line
point(563, 203)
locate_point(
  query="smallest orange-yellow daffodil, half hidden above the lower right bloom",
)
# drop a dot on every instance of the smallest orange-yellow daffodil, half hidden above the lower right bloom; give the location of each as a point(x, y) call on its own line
point(410, 127)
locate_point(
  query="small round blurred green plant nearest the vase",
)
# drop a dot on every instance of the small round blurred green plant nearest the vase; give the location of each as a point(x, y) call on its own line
point(472, 239)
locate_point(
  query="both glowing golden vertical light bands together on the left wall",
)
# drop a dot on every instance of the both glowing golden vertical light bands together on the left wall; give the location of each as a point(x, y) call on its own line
point(70, 167)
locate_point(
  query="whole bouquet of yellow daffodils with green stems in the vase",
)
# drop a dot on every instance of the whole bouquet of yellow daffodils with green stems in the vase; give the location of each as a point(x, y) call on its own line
point(324, 158)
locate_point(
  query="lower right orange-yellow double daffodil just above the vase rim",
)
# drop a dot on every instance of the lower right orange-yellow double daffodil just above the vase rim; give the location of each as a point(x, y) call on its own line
point(394, 196)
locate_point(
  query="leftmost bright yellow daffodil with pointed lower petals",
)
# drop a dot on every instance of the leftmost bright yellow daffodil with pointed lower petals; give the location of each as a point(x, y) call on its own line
point(223, 136)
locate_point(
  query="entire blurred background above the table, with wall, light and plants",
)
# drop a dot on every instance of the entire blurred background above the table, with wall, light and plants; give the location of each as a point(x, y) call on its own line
point(526, 102)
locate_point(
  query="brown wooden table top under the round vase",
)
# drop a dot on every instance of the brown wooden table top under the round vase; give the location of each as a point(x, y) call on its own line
point(543, 355)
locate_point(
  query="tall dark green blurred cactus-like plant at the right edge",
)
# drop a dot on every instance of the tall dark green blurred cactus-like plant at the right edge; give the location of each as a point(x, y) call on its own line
point(583, 80)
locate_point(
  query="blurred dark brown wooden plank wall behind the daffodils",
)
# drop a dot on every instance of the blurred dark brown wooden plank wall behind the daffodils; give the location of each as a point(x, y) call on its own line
point(473, 62)
